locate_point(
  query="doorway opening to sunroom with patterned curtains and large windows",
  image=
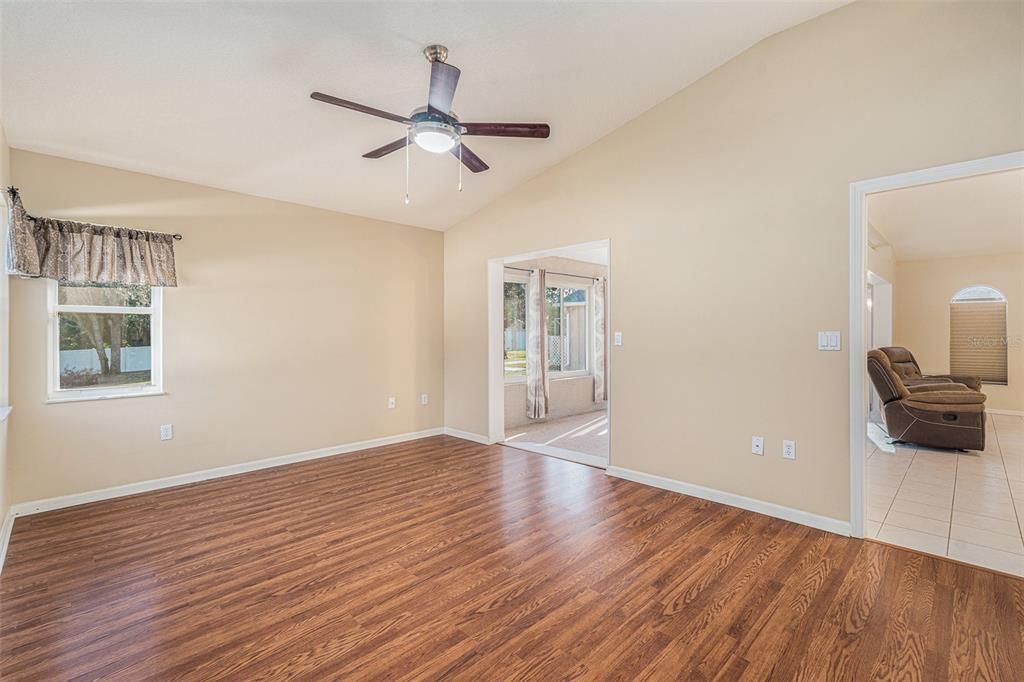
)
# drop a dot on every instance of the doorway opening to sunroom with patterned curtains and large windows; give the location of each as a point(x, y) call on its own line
point(549, 361)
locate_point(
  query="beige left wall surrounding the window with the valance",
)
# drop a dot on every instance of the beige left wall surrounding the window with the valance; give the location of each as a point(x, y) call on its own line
point(289, 330)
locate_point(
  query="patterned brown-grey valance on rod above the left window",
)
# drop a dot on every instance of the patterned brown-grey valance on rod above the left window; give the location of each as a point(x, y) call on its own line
point(83, 253)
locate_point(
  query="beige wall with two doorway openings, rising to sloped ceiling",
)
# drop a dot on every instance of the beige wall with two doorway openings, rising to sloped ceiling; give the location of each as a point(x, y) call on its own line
point(738, 188)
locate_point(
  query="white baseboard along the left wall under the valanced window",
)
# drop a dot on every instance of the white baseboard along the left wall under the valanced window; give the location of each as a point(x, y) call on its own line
point(51, 504)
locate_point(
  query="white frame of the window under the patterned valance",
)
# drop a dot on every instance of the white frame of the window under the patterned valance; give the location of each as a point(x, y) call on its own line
point(156, 386)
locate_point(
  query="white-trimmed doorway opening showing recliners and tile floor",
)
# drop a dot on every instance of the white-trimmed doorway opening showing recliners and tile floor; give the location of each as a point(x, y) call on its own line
point(937, 362)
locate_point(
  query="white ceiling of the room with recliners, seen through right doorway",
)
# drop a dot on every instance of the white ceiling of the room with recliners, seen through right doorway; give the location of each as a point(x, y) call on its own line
point(971, 217)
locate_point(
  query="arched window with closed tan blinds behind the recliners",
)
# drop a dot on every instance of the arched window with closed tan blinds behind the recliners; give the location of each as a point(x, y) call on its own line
point(978, 334)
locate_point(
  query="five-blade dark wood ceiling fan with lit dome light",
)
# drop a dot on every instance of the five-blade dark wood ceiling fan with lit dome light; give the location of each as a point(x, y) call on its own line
point(435, 127)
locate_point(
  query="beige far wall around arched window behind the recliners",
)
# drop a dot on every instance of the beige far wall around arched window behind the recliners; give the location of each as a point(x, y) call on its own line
point(922, 314)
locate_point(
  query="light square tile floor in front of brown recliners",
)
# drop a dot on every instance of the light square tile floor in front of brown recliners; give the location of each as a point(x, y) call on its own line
point(967, 506)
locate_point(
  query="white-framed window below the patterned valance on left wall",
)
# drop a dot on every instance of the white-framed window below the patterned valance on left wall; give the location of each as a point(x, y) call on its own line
point(106, 340)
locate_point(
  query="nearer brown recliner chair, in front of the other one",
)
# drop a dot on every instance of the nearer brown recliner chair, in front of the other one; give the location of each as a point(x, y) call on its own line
point(938, 415)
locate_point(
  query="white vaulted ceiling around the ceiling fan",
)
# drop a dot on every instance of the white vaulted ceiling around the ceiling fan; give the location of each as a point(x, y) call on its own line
point(219, 94)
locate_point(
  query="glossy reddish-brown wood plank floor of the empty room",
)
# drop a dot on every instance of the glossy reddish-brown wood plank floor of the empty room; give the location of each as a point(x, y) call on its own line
point(442, 559)
